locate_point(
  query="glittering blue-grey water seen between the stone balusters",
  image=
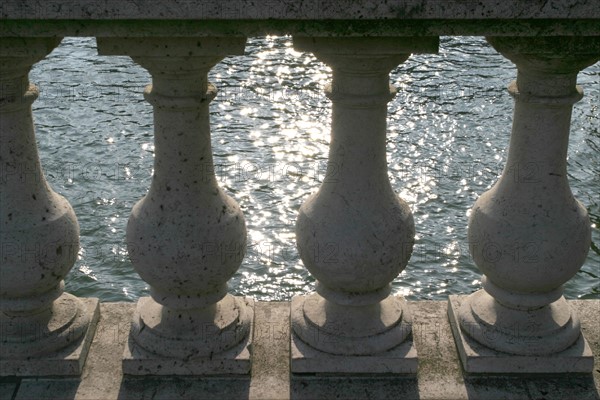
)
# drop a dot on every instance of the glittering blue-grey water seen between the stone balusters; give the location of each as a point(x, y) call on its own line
point(448, 130)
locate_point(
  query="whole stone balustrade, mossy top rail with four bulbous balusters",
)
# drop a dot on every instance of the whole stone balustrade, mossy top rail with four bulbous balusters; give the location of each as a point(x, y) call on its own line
point(519, 321)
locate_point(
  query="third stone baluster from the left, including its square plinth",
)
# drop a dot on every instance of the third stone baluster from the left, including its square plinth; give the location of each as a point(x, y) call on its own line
point(355, 235)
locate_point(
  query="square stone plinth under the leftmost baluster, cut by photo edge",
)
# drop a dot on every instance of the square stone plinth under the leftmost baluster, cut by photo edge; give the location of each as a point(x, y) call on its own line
point(66, 362)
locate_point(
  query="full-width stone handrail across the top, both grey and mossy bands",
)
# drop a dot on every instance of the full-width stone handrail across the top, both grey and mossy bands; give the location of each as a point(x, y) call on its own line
point(307, 17)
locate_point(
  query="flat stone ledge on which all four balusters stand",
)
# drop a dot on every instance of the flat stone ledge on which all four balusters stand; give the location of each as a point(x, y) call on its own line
point(439, 377)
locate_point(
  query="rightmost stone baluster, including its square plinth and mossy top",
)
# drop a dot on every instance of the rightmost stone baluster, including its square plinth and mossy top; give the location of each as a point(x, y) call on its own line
point(528, 234)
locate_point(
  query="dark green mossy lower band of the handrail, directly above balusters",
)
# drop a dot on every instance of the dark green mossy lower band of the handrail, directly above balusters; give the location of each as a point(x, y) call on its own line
point(347, 28)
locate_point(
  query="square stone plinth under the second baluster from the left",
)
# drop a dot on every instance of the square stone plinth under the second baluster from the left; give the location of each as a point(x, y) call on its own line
point(235, 361)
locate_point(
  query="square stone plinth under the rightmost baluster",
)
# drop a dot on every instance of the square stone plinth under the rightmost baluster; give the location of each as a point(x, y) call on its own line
point(477, 358)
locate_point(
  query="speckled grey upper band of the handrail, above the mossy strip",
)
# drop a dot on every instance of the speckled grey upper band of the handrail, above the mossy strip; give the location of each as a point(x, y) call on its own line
point(295, 9)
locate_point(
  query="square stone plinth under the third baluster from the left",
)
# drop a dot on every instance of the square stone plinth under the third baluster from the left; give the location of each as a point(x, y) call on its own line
point(399, 360)
